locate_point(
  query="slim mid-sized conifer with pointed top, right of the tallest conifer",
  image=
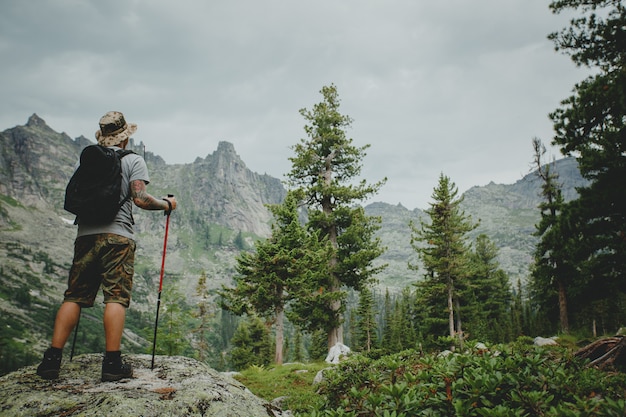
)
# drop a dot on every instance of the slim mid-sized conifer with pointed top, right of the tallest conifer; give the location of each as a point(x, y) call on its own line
point(444, 253)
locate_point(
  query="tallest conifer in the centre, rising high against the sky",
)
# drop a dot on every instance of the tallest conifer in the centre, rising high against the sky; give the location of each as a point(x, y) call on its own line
point(325, 167)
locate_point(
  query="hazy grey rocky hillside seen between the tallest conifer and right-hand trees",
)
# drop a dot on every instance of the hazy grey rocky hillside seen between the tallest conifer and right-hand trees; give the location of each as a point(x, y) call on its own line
point(507, 214)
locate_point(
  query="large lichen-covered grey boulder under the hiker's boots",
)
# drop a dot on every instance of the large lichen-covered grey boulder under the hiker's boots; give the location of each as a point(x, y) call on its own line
point(177, 386)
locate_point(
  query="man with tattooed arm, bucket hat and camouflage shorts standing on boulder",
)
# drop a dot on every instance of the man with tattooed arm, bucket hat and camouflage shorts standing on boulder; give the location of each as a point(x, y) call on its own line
point(104, 257)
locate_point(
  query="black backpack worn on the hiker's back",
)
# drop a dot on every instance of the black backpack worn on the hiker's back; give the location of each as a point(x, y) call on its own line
point(94, 191)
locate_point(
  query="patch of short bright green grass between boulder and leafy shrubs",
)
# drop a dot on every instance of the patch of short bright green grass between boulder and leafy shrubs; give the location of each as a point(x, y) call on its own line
point(294, 381)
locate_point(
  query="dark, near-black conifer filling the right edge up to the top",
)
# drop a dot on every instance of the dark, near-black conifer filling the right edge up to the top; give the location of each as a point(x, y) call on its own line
point(591, 125)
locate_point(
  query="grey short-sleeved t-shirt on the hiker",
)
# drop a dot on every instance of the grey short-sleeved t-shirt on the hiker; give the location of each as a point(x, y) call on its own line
point(133, 168)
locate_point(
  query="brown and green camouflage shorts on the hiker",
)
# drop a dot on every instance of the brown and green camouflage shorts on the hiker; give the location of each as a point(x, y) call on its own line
point(105, 260)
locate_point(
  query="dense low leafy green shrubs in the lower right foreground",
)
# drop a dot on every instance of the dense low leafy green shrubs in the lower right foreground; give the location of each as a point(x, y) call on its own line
point(520, 380)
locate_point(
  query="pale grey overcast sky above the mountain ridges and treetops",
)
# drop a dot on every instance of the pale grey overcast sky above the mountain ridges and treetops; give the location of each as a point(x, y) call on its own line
point(457, 87)
